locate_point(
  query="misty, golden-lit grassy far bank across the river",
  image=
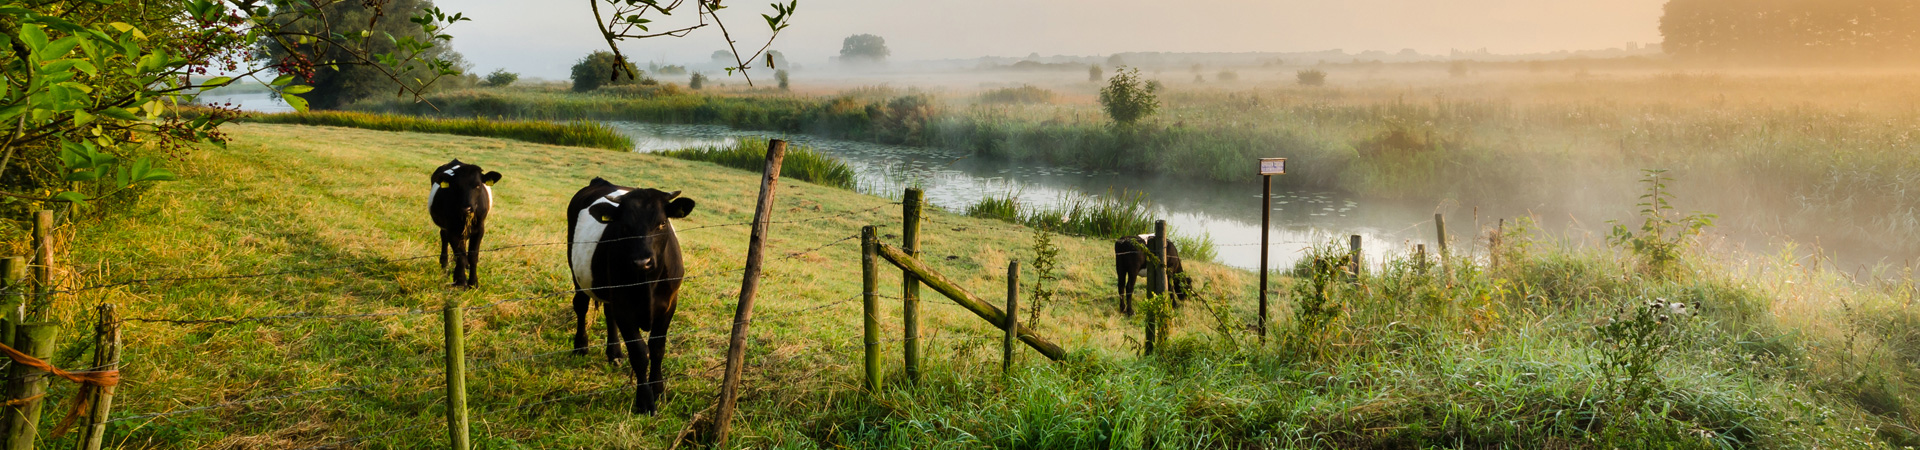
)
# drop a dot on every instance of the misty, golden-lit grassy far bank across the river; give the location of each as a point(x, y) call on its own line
point(1823, 159)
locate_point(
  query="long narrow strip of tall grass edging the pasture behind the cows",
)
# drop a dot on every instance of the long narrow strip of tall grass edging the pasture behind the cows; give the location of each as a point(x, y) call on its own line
point(573, 134)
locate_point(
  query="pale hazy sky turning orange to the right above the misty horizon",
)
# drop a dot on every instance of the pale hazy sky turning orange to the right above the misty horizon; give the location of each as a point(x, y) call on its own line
point(544, 37)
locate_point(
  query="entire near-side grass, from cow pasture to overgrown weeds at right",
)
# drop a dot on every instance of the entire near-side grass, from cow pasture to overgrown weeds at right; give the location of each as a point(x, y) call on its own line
point(1783, 355)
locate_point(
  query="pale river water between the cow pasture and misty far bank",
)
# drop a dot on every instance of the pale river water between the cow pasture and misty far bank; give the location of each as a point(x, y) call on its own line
point(1230, 214)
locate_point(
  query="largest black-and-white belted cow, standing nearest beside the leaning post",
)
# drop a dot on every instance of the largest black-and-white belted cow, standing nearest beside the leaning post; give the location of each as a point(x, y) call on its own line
point(627, 259)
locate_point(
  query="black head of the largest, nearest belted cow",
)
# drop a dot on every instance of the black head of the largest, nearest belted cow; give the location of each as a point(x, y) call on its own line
point(640, 224)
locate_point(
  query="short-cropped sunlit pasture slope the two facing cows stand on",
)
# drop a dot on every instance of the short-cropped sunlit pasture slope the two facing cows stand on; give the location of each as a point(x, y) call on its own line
point(285, 197)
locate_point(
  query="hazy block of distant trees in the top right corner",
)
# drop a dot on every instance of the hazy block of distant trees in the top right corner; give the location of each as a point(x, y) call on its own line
point(1792, 32)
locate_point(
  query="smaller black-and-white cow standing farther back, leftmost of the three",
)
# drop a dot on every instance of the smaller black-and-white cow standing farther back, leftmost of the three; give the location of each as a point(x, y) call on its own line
point(460, 197)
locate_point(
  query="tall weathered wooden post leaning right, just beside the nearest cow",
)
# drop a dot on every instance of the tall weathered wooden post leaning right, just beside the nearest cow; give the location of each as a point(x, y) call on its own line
point(736, 351)
